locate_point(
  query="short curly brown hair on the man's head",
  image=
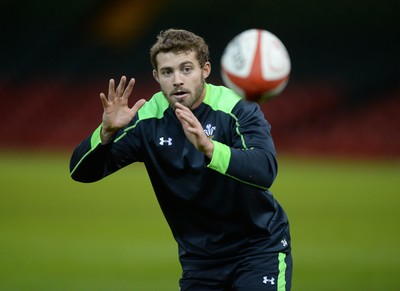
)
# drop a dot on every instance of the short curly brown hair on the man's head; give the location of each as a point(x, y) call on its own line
point(179, 40)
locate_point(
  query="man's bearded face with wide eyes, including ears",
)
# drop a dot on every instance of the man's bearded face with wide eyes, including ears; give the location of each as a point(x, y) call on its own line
point(181, 78)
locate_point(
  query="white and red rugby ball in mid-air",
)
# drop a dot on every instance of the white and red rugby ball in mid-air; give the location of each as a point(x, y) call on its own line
point(256, 65)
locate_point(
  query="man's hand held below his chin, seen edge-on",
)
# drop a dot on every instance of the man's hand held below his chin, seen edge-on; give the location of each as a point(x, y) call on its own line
point(193, 130)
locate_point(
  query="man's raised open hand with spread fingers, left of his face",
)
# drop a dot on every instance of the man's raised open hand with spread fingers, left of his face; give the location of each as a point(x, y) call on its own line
point(116, 113)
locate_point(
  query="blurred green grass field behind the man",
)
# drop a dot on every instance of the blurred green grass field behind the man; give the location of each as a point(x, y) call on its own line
point(57, 234)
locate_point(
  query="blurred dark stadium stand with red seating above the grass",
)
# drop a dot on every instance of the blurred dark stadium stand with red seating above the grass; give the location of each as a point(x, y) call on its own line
point(342, 98)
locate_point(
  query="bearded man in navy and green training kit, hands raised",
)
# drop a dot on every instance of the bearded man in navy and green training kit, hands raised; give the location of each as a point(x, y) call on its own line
point(210, 158)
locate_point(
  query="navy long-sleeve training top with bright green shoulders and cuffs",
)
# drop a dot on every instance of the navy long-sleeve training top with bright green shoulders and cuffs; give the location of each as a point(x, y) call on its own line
point(218, 208)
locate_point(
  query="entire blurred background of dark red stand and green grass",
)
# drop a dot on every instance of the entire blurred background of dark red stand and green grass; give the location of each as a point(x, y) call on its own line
point(336, 128)
